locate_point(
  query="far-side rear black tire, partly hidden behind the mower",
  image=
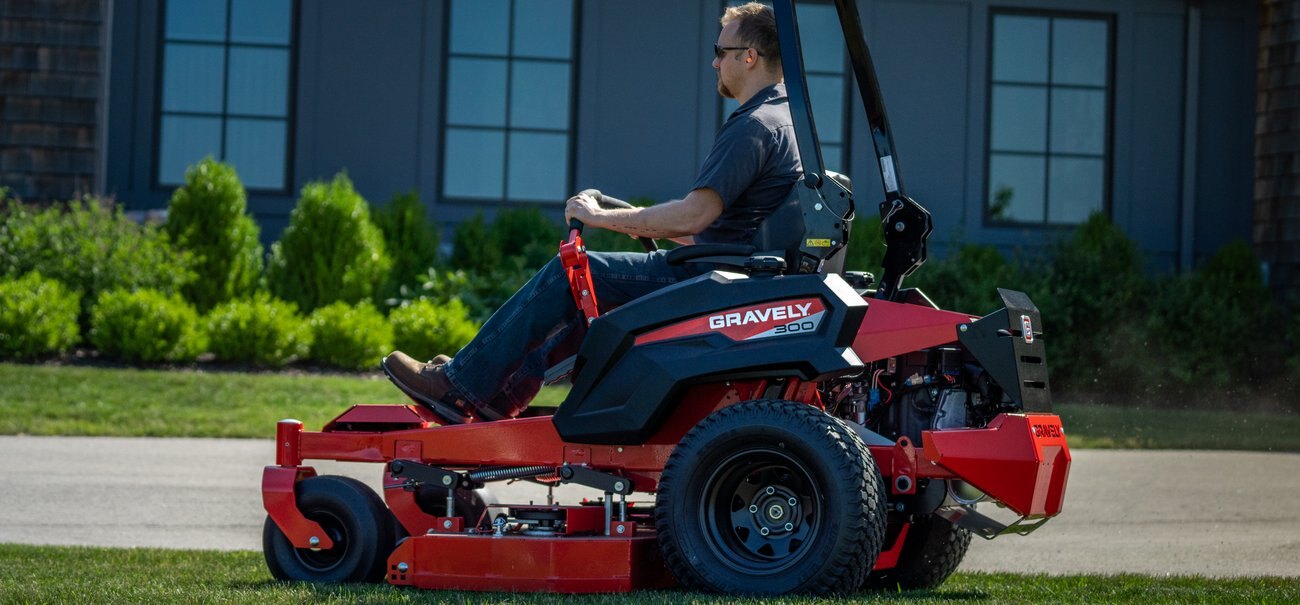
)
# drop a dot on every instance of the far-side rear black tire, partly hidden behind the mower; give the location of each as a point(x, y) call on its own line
point(931, 552)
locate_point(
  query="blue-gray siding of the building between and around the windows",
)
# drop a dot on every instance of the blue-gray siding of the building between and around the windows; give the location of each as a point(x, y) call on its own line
point(370, 101)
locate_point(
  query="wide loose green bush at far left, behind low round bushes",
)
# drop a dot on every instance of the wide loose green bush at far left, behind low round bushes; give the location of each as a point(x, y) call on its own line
point(90, 247)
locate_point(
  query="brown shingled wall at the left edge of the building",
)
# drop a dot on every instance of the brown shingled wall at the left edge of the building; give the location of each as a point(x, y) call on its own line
point(50, 97)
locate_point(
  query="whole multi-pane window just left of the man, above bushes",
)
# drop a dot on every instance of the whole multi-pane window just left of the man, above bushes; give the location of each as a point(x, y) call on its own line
point(509, 101)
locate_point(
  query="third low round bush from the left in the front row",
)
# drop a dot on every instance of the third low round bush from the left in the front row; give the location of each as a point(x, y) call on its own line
point(259, 330)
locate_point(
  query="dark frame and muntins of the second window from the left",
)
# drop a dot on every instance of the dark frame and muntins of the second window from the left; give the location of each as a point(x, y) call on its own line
point(510, 58)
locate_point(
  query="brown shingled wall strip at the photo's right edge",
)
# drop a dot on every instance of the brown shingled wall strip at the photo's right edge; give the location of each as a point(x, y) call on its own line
point(1277, 146)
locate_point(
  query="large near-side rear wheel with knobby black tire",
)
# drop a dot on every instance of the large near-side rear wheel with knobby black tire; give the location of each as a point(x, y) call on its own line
point(738, 473)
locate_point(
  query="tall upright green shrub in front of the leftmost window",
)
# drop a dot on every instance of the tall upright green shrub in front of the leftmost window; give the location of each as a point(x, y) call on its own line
point(207, 218)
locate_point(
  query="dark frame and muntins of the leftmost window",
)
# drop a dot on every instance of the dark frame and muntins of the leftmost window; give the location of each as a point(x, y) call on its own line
point(291, 110)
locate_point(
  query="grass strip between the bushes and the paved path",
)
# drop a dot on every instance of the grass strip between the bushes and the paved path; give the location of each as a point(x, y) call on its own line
point(50, 400)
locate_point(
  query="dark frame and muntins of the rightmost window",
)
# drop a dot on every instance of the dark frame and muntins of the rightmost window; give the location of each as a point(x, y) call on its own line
point(1108, 155)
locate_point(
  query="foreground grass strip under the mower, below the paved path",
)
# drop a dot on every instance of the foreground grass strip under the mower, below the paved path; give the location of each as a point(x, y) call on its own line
point(89, 576)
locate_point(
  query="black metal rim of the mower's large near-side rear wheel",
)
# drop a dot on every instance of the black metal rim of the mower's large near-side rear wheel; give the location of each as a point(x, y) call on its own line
point(761, 511)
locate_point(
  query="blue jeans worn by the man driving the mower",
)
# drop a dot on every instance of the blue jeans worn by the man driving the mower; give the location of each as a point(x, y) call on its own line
point(541, 326)
